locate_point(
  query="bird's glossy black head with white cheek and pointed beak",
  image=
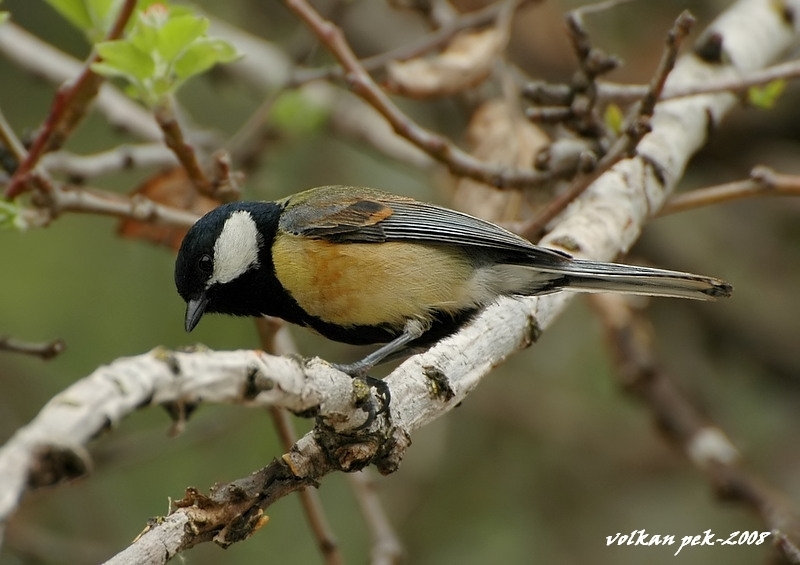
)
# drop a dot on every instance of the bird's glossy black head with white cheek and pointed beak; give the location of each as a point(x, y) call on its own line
point(221, 259)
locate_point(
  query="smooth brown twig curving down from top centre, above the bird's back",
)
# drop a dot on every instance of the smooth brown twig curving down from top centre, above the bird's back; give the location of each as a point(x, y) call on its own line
point(437, 146)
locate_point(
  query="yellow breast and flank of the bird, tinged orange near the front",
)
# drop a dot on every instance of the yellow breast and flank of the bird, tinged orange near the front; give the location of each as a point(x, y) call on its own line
point(371, 283)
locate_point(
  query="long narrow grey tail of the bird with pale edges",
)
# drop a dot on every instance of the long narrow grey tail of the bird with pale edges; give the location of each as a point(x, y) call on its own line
point(592, 276)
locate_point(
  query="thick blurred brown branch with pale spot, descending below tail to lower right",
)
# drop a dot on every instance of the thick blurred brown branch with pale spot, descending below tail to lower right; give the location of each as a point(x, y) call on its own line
point(631, 341)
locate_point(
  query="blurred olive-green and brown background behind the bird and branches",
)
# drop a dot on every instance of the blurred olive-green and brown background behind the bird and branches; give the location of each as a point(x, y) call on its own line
point(542, 462)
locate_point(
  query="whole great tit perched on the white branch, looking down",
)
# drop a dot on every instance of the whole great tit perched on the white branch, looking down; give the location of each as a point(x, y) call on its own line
point(362, 266)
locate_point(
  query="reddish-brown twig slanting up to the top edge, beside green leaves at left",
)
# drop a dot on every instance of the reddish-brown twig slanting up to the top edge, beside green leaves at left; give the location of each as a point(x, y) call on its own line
point(68, 109)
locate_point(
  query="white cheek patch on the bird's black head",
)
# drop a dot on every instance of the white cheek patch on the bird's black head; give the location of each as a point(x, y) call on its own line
point(236, 248)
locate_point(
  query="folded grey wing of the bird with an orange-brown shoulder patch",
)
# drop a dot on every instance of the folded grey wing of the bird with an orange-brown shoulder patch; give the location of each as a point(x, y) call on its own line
point(375, 217)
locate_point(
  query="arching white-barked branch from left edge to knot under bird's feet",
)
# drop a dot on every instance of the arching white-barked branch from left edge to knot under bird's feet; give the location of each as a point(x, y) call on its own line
point(58, 434)
